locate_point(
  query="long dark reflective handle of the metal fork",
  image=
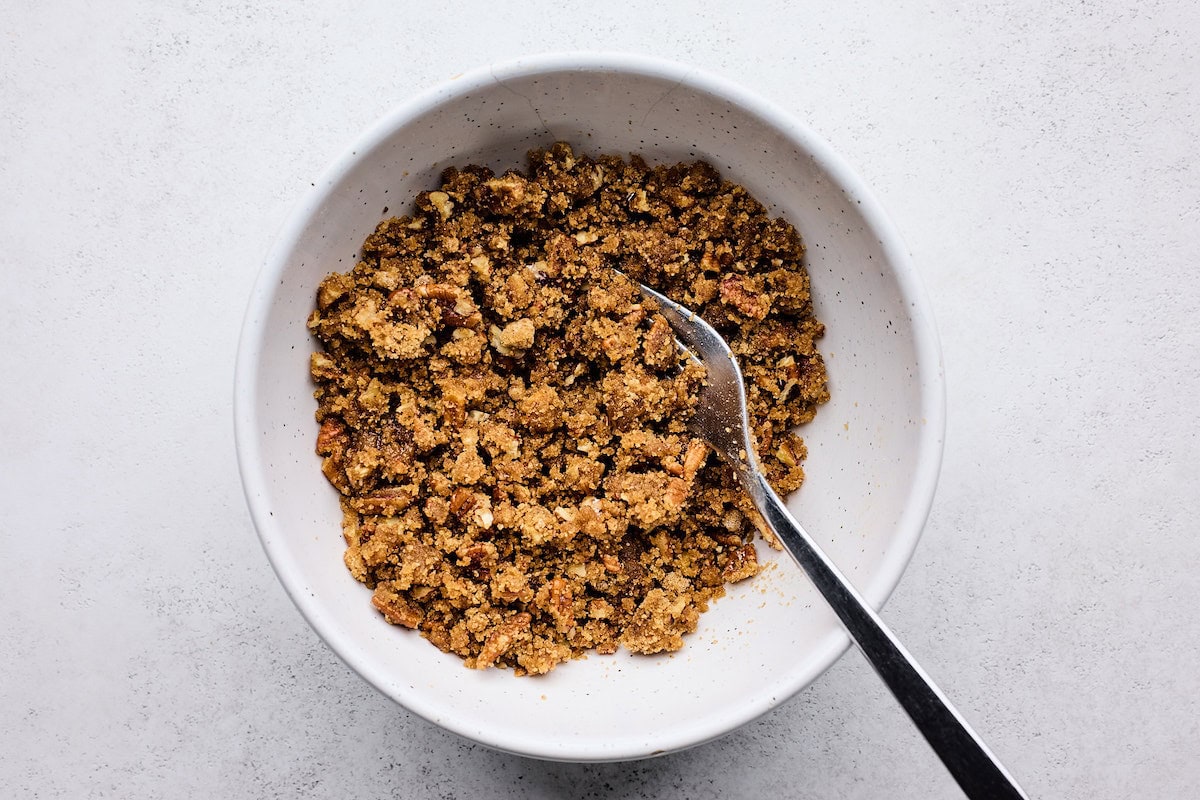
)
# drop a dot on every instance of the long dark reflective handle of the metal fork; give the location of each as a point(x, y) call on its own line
point(979, 773)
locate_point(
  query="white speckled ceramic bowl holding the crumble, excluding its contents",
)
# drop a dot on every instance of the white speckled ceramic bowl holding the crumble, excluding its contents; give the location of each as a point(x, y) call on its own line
point(874, 452)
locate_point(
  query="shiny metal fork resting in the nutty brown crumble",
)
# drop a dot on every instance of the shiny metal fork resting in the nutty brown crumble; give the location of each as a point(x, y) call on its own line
point(722, 420)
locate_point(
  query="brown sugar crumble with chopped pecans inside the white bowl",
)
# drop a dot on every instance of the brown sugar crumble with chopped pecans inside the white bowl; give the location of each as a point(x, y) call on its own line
point(506, 417)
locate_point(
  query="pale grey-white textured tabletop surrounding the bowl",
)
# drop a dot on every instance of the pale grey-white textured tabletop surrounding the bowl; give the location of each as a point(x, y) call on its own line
point(1040, 159)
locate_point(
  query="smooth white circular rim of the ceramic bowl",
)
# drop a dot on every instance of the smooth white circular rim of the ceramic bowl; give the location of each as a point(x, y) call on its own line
point(931, 372)
